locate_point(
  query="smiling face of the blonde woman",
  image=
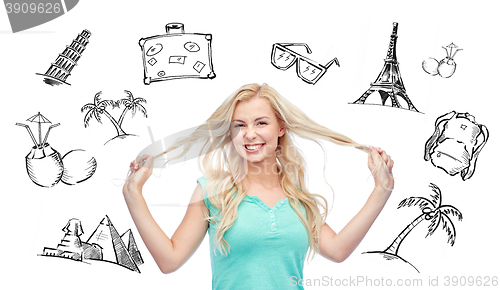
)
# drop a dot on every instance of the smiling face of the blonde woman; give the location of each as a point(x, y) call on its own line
point(259, 129)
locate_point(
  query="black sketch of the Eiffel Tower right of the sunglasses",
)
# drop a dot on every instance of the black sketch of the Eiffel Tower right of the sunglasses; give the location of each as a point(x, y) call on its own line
point(389, 83)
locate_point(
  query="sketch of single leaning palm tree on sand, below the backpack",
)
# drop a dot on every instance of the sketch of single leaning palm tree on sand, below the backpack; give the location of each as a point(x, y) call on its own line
point(433, 211)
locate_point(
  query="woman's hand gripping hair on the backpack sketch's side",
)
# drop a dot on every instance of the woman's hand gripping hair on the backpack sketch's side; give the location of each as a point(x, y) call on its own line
point(383, 178)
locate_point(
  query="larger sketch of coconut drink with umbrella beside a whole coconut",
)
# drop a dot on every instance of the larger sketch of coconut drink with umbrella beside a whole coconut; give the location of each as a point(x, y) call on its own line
point(46, 167)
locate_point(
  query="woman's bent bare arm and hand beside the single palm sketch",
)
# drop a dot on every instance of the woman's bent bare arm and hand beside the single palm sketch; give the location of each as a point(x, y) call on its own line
point(337, 247)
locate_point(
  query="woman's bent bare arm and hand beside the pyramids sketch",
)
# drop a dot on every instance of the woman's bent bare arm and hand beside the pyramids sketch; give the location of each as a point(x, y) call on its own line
point(169, 254)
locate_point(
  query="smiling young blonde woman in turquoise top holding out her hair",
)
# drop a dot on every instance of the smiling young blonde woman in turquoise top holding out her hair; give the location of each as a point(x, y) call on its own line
point(253, 199)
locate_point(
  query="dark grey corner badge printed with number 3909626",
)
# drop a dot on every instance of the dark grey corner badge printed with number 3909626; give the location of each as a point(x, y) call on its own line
point(25, 14)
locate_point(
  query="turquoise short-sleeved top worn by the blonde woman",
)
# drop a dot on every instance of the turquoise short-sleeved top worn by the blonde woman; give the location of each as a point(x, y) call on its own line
point(268, 246)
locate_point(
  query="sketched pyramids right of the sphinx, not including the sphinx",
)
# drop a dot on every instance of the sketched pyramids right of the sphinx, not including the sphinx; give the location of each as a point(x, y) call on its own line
point(113, 247)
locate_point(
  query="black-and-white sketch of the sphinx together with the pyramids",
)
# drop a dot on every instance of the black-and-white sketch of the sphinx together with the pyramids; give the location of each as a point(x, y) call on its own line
point(104, 244)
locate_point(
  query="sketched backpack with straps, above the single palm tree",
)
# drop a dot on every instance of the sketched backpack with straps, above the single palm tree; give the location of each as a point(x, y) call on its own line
point(456, 143)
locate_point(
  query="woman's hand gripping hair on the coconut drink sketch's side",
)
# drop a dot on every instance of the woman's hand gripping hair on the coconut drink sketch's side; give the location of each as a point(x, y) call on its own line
point(140, 170)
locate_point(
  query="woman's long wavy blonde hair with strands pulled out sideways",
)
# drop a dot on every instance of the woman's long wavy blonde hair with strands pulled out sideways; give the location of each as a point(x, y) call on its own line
point(225, 168)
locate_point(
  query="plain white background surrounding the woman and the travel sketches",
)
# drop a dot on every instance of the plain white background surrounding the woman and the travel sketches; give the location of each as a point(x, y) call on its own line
point(357, 34)
